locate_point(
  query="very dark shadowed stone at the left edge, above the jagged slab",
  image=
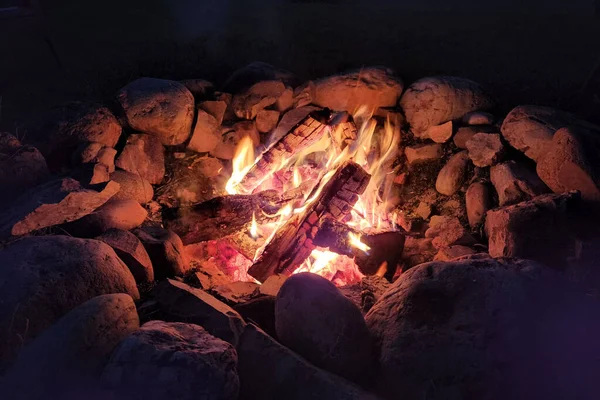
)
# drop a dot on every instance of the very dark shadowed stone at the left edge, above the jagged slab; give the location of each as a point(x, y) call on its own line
point(21, 168)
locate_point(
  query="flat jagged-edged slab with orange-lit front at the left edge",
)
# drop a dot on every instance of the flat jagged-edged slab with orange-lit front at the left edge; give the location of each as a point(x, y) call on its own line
point(53, 203)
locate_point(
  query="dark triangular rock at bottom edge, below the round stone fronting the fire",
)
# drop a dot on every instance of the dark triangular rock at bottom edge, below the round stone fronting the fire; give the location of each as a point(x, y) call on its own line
point(269, 370)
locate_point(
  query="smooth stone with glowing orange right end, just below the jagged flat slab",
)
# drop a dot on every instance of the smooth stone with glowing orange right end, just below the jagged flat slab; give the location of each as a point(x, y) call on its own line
point(114, 214)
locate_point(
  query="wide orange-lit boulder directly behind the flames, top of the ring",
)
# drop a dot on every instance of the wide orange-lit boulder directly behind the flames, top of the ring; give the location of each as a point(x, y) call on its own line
point(371, 87)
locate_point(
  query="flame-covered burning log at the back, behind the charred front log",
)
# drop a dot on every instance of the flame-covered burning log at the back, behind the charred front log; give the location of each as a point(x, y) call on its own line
point(309, 131)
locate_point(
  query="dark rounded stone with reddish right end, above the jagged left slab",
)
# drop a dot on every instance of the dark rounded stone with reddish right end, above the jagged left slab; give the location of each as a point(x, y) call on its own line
point(60, 131)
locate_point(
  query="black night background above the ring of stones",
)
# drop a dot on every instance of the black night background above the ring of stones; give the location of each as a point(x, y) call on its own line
point(525, 51)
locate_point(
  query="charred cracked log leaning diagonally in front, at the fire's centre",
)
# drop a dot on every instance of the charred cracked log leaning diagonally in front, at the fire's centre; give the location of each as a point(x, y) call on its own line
point(294, 241)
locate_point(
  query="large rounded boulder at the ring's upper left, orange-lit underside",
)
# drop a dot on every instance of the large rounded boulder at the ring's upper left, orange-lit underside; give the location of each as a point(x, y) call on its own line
point(159, 107)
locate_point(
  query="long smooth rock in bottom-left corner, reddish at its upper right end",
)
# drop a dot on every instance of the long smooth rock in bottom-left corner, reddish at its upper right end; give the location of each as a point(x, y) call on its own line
point(69, 357)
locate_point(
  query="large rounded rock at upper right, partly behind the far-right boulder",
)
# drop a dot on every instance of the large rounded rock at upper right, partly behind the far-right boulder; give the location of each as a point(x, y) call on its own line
point(530, 128)
